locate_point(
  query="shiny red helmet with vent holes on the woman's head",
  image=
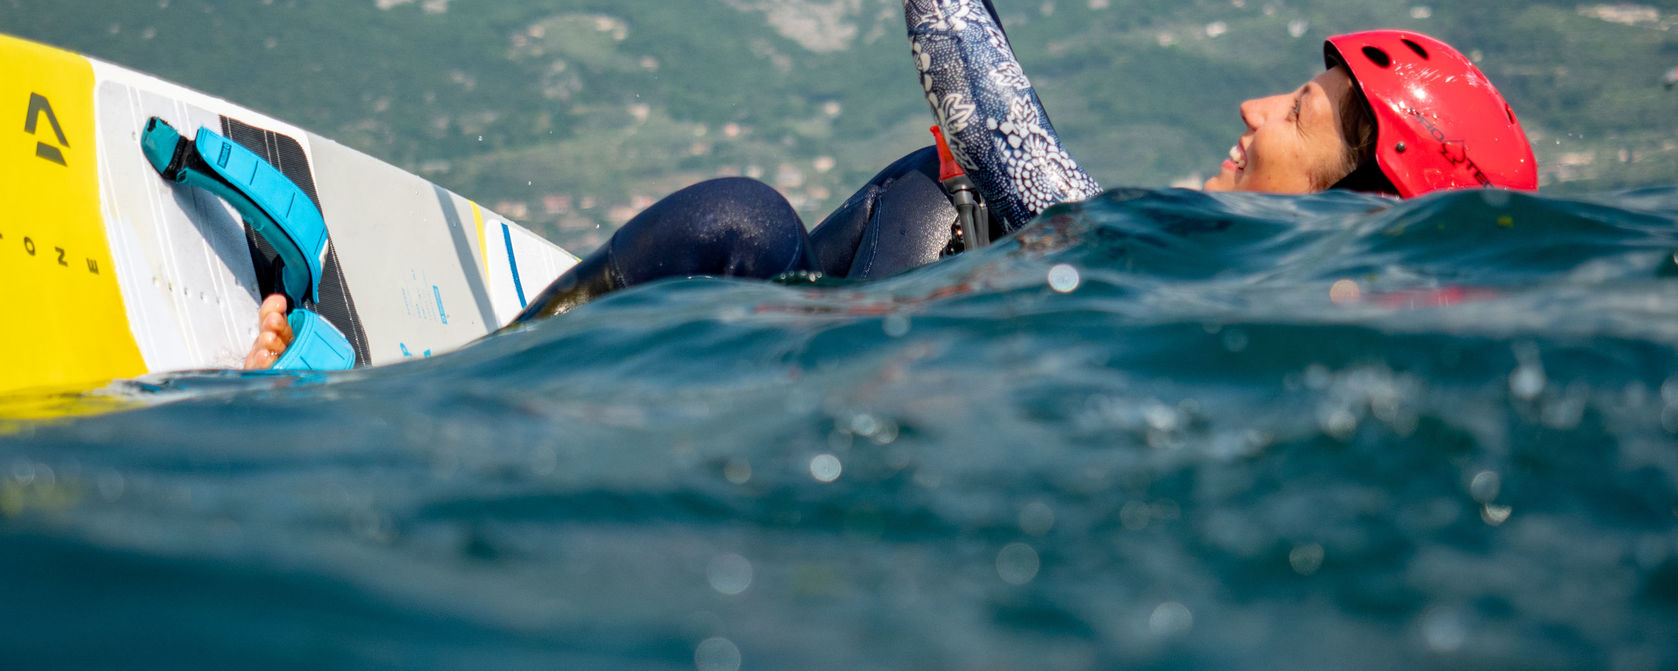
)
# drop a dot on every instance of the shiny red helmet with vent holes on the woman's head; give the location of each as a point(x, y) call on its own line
point(1439, 122)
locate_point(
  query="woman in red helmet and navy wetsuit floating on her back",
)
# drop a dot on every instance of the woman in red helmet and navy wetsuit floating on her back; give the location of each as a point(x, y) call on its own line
point(1394, 113)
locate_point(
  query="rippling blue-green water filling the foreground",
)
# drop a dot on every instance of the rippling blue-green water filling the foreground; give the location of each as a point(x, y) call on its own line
point(1159, 430)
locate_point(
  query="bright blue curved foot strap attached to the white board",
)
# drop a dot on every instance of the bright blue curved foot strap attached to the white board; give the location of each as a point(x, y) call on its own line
point(279, 212)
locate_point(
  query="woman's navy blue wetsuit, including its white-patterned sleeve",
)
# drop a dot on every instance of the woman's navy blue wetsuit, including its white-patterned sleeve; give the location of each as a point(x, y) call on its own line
point(902, 219)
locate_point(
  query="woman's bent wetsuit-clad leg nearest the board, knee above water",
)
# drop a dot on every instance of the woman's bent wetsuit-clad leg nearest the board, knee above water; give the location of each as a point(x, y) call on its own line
point(731, 227)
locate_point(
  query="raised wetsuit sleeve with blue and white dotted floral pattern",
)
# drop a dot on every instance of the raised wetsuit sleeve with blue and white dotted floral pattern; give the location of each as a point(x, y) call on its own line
point(989, 113)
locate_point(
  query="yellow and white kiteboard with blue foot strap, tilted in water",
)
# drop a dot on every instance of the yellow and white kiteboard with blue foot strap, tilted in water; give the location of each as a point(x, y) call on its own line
point(113, 268)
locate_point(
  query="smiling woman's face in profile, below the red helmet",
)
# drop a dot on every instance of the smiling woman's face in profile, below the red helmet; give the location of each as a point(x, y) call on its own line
point(1293, 142)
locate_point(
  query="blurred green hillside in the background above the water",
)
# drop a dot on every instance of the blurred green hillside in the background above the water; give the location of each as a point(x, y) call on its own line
point(571, 115)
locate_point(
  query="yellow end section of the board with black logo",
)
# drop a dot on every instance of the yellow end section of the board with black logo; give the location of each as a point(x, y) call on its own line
point(61, 311)
